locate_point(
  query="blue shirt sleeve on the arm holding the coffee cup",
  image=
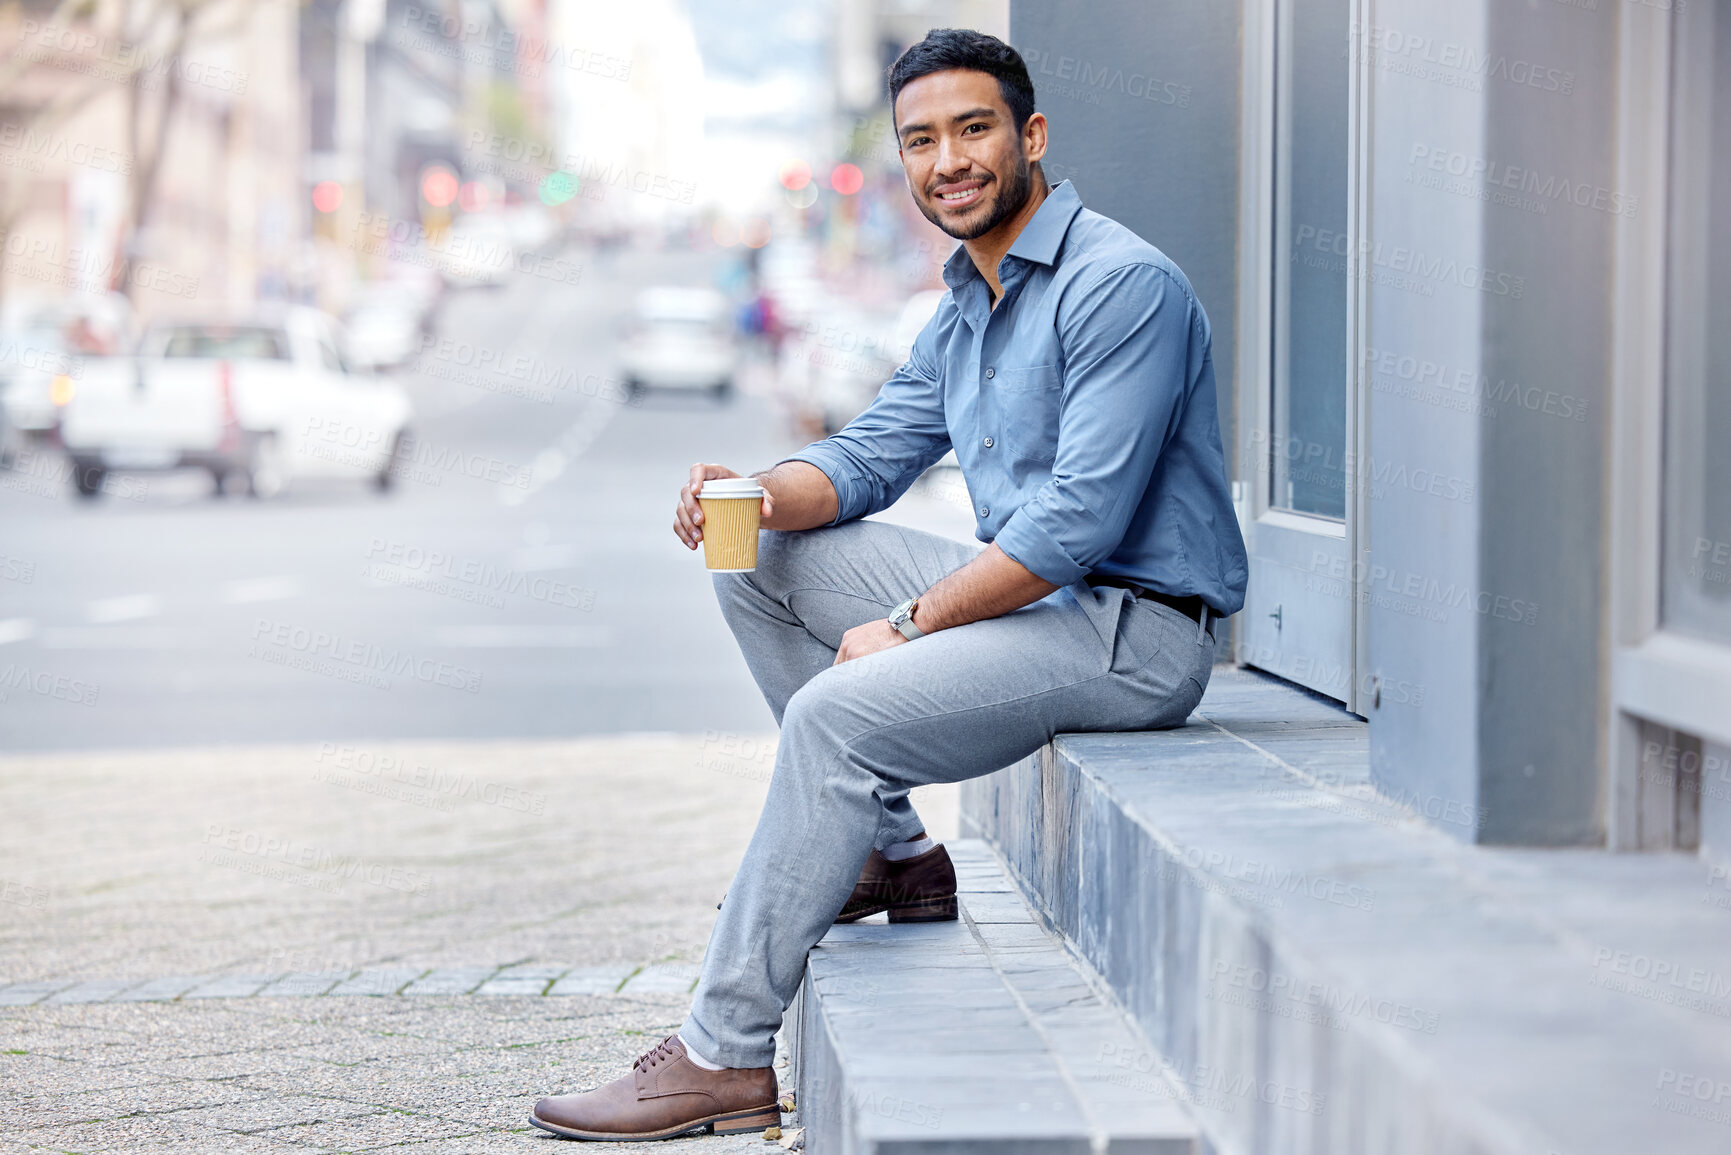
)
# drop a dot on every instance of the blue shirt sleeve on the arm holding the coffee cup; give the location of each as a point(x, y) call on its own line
point(884, 451)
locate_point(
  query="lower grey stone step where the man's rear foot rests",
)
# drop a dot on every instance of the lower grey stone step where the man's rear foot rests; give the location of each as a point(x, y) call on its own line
point(982, 1035)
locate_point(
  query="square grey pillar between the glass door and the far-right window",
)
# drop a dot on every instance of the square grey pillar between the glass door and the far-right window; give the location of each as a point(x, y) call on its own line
point(1490, 294)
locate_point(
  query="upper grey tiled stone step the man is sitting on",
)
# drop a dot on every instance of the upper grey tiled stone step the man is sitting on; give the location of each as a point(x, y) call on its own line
point(1323, 971)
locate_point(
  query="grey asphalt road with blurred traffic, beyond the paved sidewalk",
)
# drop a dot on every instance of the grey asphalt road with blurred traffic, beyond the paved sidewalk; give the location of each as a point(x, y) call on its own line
point(522, 579)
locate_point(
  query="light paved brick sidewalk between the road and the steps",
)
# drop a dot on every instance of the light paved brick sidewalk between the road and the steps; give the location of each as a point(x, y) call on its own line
point(354, 946)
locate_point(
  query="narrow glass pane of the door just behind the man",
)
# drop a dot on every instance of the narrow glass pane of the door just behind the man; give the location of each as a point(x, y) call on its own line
point(1313, 259)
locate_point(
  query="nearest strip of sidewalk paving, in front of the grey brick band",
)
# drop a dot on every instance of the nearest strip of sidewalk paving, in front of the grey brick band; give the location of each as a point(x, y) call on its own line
point(439, 1076)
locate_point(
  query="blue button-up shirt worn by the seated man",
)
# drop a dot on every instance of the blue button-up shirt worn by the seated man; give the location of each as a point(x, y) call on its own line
point(1081, 408)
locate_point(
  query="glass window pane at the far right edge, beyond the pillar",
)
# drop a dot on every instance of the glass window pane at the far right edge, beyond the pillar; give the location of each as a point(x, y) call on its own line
point(1697, 503)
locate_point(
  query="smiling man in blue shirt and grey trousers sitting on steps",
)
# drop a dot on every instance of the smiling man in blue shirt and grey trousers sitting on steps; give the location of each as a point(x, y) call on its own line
point(1071, 370)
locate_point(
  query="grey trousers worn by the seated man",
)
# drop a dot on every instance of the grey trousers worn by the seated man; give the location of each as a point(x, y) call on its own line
point(858, 737)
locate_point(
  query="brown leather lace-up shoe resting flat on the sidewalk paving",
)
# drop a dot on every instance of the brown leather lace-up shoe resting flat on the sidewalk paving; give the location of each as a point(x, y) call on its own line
point(666, 1097)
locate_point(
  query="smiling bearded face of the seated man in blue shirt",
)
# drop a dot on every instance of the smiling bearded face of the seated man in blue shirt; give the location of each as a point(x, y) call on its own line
point(967, 165)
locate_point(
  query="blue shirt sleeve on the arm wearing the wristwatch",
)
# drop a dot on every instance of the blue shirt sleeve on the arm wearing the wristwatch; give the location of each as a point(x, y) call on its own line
point(1126, 340)
